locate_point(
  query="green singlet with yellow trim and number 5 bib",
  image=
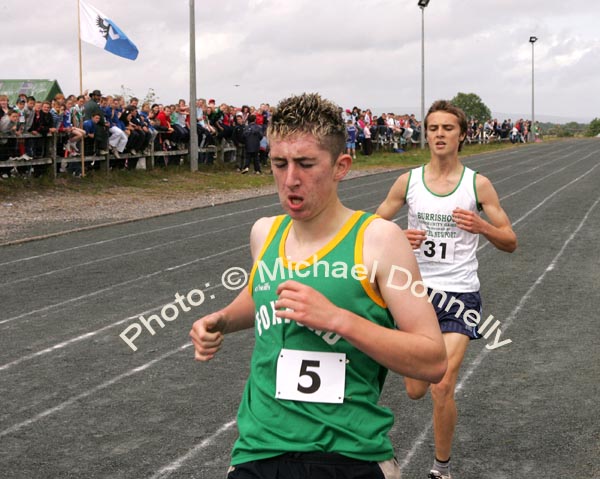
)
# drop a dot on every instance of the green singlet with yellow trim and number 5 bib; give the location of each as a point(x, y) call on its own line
point(308, 390)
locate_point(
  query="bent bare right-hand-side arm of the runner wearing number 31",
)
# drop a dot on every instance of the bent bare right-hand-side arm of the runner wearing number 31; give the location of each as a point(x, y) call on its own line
point(498, 230)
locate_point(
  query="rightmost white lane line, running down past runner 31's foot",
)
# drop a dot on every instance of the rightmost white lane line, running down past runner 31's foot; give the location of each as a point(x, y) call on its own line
point(484, 352)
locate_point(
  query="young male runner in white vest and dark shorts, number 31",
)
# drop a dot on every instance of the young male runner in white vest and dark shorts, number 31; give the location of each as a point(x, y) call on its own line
point(444, 199)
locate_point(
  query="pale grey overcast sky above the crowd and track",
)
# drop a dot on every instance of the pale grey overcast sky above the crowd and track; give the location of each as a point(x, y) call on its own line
point(365, 53)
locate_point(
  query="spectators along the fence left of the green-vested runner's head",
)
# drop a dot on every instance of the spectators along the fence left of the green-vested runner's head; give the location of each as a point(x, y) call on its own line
point(124, 128)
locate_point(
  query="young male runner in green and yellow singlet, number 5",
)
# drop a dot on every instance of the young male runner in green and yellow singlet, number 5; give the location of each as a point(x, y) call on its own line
point(322, 302)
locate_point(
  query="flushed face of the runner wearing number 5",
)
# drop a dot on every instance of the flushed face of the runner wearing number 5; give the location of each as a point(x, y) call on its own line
point(305, 176)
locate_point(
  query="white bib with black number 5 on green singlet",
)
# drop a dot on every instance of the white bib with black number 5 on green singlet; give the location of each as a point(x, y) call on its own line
point(311, 376)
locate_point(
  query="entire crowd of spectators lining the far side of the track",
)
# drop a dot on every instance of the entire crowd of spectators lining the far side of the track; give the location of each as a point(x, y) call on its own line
point(128, 130)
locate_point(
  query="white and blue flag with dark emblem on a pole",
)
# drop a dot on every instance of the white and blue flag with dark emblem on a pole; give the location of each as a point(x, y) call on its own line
point(97, 29)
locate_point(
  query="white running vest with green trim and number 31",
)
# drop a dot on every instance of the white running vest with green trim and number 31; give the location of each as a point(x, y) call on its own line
point(447, 258)
